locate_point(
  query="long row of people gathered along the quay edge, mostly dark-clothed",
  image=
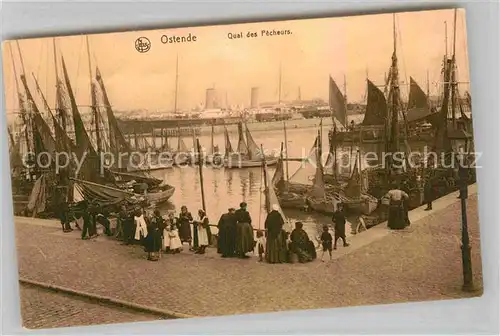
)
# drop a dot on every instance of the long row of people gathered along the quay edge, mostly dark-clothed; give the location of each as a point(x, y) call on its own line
point(157, 232)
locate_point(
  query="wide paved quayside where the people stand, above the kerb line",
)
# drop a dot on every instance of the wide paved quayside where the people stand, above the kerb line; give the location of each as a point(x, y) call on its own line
point(421, 263)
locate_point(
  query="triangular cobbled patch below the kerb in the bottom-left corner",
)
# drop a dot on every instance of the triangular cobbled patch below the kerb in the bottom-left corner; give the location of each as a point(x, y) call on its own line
point(47, 309)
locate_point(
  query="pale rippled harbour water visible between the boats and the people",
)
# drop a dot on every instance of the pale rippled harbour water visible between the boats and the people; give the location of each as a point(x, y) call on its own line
point(225, 188)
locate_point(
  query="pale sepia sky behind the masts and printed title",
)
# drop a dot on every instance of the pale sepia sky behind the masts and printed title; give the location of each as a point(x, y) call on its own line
point(354, 47)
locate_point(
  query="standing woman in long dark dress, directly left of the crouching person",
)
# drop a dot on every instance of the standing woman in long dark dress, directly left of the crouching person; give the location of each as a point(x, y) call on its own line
point(276, 251)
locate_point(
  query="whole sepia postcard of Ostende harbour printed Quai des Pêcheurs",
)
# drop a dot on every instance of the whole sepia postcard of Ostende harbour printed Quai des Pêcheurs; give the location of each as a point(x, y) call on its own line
point(243, 168)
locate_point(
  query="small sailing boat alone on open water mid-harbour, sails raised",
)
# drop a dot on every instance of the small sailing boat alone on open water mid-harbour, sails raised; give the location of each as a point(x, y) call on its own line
point(248, 155)
